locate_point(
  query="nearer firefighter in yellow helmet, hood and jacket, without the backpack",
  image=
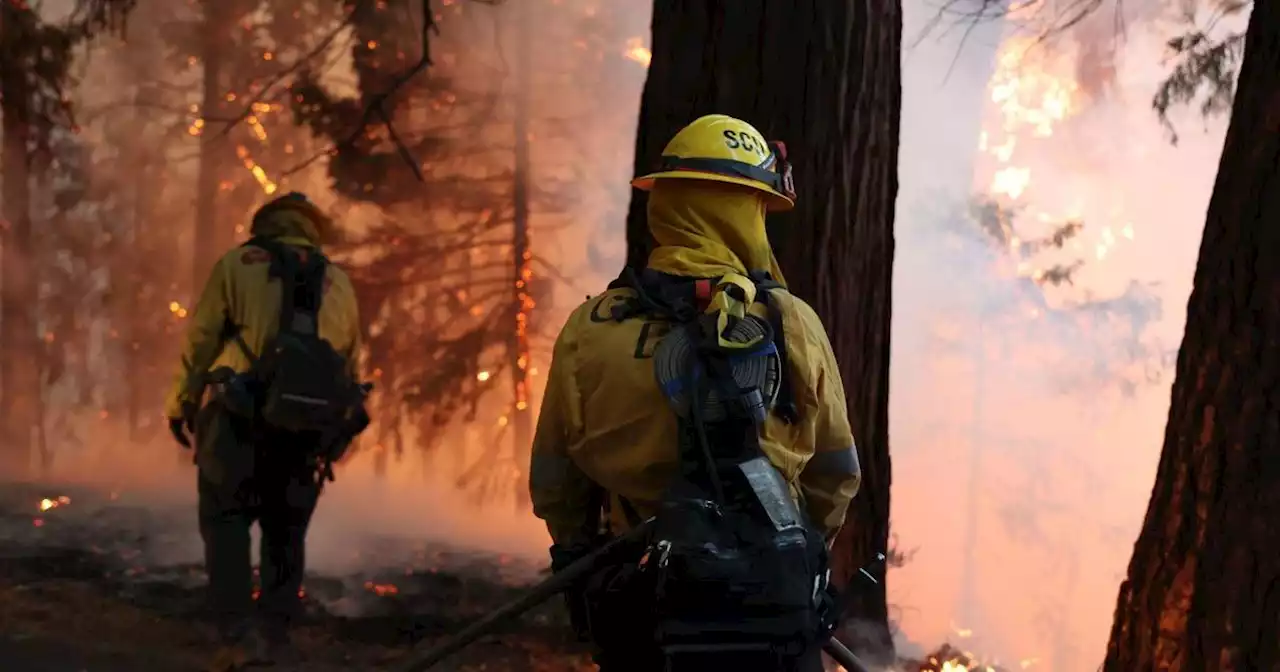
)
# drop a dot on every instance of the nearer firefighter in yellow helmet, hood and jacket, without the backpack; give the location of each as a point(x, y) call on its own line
point(605, 424)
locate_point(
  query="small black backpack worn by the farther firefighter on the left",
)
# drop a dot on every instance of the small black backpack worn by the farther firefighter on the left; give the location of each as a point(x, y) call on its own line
point(303, 382)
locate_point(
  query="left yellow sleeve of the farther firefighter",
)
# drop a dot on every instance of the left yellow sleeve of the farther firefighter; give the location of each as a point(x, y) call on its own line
point(204, 341)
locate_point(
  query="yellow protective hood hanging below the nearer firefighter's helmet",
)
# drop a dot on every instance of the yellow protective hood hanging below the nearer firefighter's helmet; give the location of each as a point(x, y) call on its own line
point(706, 231)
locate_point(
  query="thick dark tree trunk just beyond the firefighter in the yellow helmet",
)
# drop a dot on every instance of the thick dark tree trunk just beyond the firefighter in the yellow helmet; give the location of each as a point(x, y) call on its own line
point(825, 79)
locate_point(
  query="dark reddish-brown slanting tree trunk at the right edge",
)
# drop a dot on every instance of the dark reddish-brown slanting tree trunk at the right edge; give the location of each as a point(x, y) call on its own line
point(1199, 595)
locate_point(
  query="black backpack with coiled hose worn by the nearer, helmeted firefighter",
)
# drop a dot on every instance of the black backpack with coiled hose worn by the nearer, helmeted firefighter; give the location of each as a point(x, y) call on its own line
point(734, 566)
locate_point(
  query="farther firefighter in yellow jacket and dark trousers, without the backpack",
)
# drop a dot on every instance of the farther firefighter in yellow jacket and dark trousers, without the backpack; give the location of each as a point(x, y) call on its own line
point(249, 472)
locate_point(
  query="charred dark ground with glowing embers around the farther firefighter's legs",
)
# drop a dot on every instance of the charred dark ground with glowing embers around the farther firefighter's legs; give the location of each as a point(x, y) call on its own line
point(92, 552)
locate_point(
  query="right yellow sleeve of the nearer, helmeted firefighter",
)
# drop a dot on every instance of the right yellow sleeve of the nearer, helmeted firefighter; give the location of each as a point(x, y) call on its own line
point(831, 478)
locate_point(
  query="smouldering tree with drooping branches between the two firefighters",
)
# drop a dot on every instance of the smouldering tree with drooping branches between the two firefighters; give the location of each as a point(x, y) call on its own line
point(440, 150)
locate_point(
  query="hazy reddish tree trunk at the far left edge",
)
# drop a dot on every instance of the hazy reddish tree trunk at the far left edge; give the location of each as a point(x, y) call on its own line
point(19, 354)
